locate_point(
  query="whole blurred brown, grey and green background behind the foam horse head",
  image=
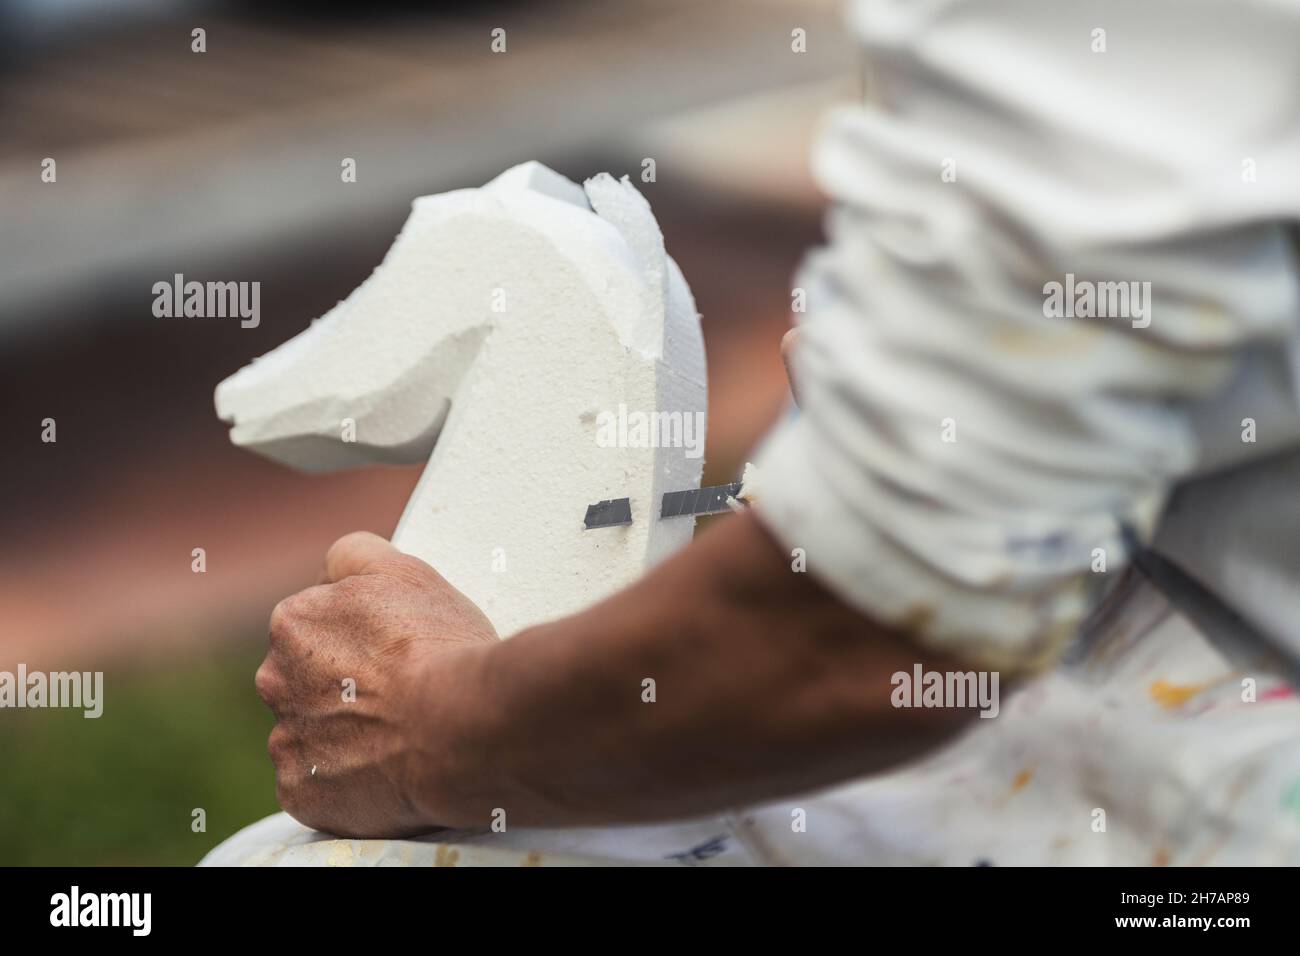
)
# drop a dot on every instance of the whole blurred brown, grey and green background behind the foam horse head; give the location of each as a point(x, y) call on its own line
point(226, 166)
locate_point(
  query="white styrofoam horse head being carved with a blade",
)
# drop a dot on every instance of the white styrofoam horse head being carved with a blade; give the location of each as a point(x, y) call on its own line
point(500, 327)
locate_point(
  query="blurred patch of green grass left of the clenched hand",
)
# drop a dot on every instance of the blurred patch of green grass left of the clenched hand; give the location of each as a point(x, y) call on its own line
point(176, 736)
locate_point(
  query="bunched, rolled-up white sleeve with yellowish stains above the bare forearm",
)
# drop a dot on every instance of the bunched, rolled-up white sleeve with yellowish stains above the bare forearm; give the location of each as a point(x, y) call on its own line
point(964, 464)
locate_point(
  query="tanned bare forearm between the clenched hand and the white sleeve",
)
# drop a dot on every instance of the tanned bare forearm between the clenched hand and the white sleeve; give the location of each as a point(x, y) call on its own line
point(764, 685)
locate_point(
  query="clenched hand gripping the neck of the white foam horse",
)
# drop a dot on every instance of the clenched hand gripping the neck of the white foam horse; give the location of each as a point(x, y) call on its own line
point(365, 674)
